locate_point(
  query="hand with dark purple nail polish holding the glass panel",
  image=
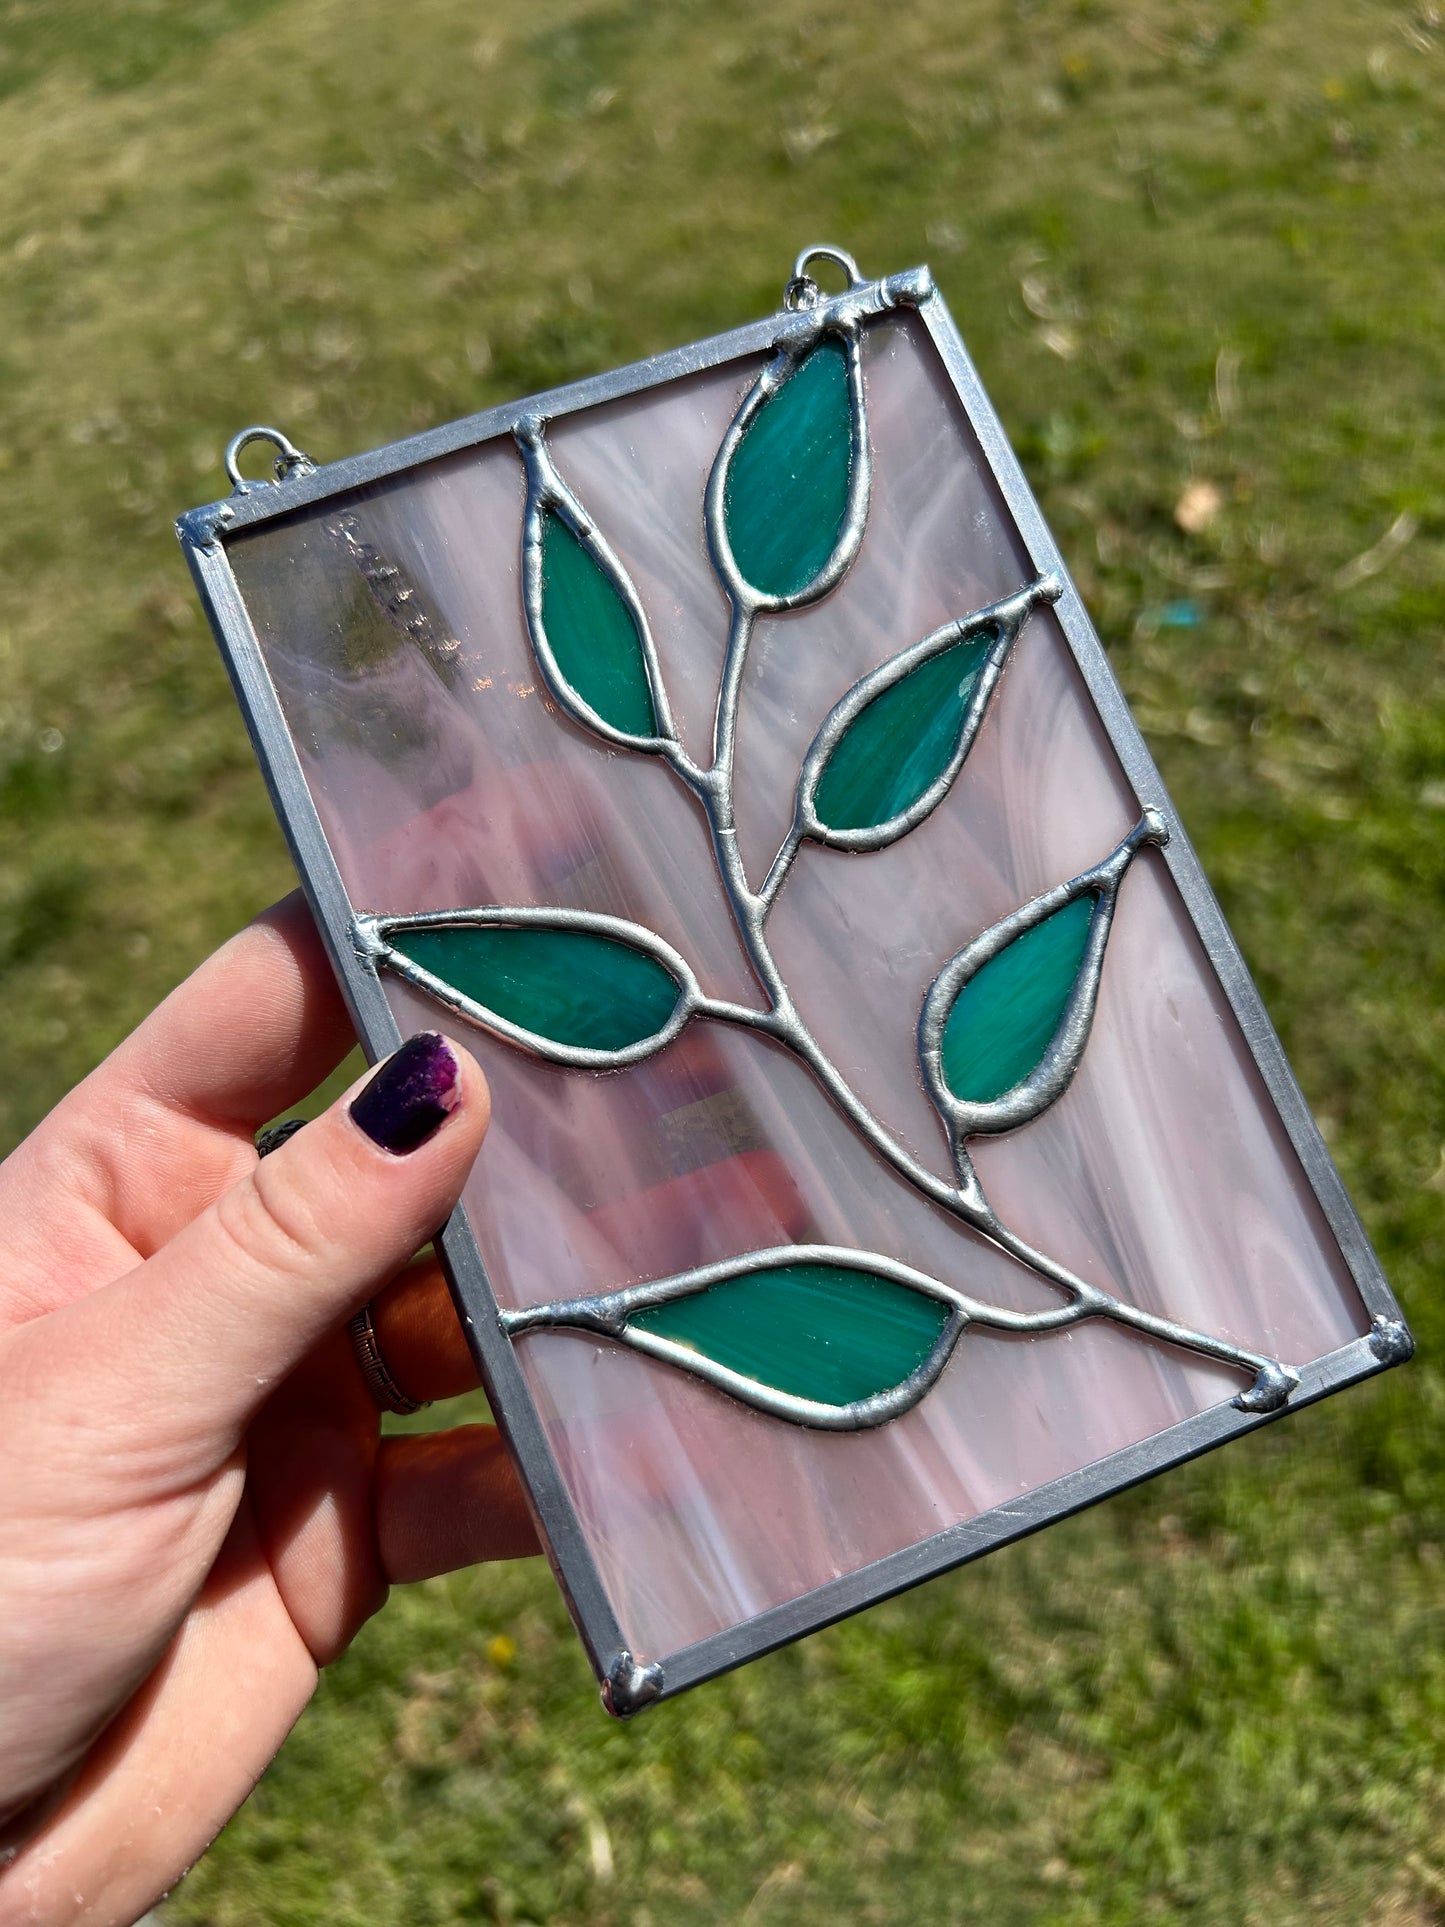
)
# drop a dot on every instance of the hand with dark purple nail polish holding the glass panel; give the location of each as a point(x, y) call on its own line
point(196, 1508)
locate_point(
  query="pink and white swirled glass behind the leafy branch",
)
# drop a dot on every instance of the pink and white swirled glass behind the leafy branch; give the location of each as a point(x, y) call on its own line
point(1163, 1175)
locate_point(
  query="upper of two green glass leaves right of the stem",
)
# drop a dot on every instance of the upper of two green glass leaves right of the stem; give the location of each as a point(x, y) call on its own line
point(901, 745)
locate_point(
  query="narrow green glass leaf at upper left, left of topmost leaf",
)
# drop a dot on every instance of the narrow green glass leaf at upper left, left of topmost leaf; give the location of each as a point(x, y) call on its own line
point(592, 633)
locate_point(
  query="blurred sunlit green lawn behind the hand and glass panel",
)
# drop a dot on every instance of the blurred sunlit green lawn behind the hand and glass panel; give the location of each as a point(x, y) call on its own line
point(1195, 251)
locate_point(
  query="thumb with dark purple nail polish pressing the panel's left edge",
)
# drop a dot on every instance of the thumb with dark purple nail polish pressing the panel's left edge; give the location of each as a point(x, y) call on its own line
point(196, 1340)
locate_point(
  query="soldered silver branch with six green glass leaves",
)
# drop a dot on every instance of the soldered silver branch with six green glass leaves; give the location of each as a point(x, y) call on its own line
point(820, 1334)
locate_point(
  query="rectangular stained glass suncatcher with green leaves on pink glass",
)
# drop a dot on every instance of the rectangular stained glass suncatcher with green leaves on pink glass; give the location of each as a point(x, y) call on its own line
point(889, 1148)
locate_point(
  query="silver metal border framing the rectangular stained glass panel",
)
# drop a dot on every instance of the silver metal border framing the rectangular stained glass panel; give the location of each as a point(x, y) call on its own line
point(627, 1685)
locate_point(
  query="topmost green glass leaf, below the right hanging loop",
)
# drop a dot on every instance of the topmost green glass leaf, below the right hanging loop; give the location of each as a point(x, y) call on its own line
point(787, 488)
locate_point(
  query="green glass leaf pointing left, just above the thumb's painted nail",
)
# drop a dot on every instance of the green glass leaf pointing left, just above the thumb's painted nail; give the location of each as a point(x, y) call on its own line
point(565, 986)
